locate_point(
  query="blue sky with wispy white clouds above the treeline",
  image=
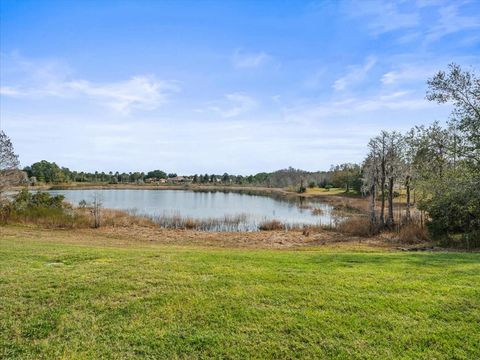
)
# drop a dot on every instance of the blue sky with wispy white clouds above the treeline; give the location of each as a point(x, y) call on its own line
point(222, 86)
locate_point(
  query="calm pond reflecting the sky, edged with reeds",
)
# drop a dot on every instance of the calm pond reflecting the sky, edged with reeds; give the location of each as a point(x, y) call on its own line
point(232, 211)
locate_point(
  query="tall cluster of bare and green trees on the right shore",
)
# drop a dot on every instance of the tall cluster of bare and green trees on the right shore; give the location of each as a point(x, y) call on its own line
point(439, 164)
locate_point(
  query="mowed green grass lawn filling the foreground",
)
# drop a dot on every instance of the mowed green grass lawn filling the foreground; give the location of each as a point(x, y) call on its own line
point(64, 300)
